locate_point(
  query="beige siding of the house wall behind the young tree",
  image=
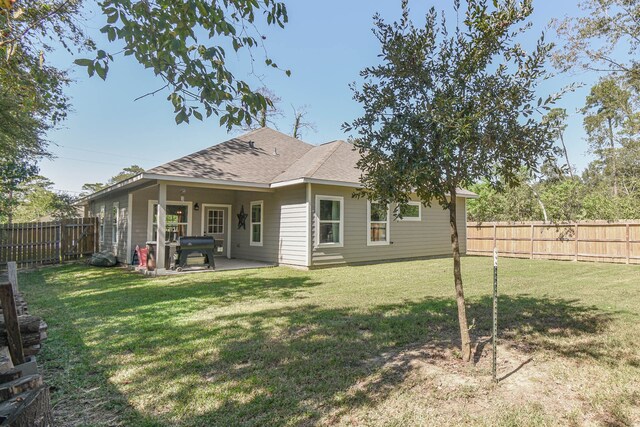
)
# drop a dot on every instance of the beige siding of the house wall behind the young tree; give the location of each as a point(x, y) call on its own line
point(409, 239)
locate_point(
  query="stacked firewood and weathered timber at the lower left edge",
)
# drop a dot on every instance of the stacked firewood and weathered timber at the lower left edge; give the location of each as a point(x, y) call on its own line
point(24, 398)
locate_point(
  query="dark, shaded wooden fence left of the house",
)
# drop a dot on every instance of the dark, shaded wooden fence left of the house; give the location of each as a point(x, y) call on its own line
point(38, 243)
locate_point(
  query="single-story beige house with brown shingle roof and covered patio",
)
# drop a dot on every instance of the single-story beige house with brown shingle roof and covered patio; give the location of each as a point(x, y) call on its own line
point(296, 198)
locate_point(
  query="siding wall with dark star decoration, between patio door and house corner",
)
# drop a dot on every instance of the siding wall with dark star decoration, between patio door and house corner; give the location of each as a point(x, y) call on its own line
point(284, 226)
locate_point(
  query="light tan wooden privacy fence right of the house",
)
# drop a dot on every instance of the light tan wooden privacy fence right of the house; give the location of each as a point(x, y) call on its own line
point(596, 241)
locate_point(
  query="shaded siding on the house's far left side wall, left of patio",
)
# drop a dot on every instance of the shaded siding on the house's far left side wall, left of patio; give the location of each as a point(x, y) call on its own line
point(120, 250)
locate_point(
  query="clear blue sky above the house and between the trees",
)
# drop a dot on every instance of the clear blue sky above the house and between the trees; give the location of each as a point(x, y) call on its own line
point(325, 45)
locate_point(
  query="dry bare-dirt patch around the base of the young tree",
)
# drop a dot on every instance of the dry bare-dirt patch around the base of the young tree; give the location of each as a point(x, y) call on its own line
point(430, 384)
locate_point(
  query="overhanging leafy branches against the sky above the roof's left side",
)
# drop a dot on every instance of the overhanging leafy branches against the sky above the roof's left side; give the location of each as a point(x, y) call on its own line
point(185, 45)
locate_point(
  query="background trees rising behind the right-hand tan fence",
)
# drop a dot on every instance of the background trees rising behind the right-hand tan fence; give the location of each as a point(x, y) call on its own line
point(604, 41)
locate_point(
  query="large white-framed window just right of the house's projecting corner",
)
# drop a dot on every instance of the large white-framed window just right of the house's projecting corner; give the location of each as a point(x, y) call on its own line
point(330, 221)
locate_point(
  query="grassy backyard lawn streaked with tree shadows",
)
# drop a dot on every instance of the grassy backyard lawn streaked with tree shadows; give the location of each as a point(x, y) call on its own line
point(368, 345)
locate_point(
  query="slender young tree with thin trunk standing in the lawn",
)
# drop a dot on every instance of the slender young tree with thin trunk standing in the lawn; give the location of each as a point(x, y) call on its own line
point(450, 104)
